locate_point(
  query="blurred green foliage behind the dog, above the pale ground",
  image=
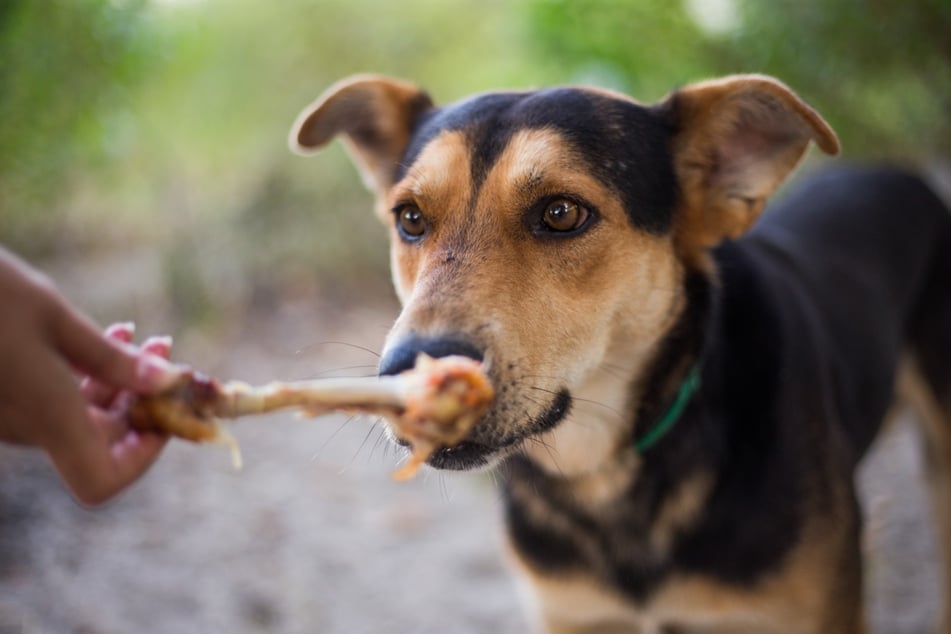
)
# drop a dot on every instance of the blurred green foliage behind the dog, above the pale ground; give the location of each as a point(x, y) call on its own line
point(162, 124)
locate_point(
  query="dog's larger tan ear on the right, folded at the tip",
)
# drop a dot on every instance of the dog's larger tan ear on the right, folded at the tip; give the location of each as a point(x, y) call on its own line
point(735, 140)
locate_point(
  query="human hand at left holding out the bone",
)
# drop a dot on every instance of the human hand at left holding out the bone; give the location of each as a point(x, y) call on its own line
point(83, 427)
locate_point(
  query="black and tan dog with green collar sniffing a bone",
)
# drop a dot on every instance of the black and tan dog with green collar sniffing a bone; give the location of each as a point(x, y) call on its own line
point(684, 384)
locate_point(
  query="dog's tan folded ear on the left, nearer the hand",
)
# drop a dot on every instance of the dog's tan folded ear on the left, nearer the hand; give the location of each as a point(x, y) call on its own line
point(376, 116)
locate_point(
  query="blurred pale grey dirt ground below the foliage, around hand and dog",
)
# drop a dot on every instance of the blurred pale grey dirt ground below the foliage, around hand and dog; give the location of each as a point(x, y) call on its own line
point(313, 536)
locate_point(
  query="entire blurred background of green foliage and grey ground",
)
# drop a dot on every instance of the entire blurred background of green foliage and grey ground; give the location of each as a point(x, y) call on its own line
point(144, 166)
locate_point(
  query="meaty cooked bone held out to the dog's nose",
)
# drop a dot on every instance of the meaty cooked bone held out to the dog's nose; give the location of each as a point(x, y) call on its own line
point(432, 405)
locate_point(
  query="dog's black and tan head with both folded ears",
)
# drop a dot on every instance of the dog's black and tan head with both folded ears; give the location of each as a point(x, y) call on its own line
point(548, 232)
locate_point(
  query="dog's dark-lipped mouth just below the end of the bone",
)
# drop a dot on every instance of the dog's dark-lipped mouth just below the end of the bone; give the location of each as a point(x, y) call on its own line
point(475, 453)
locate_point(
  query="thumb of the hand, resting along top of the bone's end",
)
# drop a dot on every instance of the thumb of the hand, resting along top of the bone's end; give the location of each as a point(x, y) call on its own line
point(111, 362)
